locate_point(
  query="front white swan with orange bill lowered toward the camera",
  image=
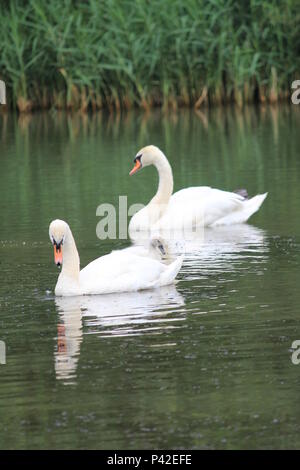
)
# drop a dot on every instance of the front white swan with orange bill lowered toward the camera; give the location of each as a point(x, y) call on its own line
point(119, 271)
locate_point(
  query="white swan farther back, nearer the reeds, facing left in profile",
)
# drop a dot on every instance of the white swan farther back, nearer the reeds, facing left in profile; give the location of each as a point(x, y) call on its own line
point(190, 207)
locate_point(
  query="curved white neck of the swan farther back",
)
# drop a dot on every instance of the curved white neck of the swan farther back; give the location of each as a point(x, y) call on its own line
point(165, 185)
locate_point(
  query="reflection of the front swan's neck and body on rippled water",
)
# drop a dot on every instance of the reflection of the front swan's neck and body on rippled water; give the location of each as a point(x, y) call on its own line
point(112, 315)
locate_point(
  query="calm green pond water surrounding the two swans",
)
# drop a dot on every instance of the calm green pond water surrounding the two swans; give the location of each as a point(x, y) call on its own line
point(203, 364)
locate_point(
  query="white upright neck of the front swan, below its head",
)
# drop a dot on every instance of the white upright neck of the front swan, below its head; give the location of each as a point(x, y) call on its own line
point(71, 264)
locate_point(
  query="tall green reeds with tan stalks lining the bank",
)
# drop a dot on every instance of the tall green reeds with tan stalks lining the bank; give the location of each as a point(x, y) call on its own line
point(123, 53)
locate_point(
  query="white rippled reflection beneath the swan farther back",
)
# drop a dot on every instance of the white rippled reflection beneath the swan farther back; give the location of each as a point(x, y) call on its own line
point(213, 250)
